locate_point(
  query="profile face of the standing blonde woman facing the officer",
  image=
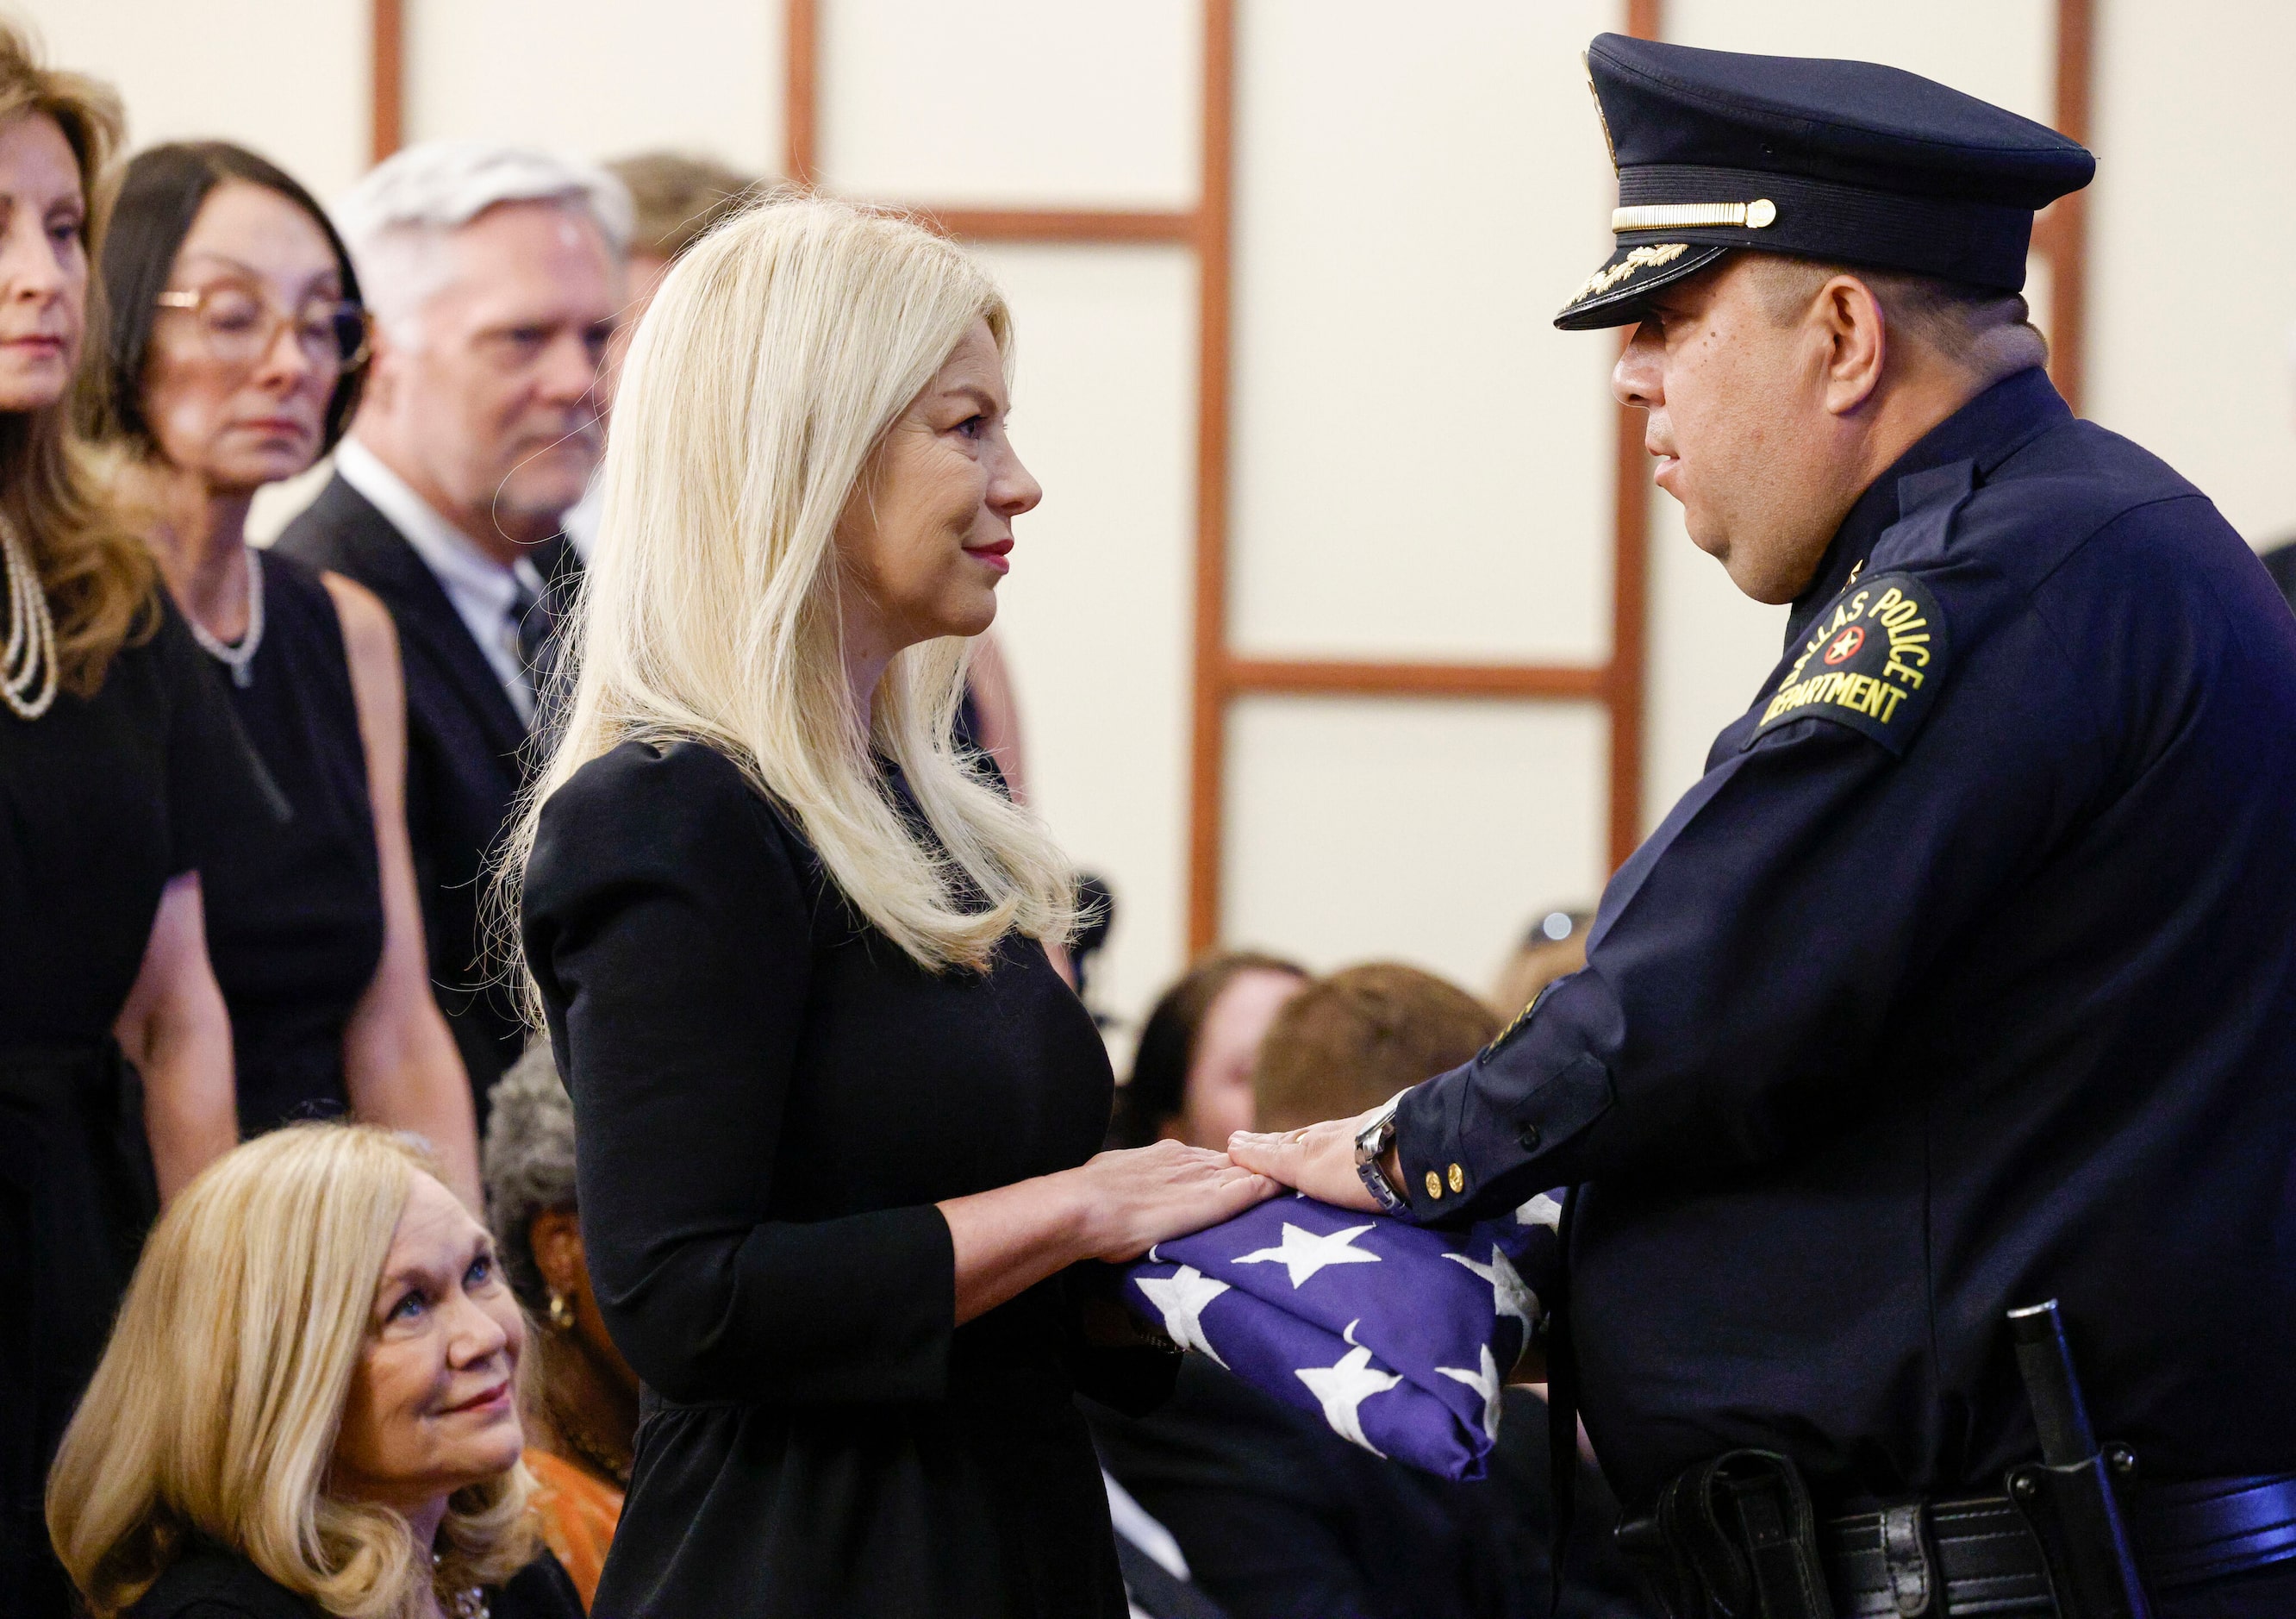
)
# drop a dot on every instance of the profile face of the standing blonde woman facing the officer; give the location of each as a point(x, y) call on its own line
point(931, 532)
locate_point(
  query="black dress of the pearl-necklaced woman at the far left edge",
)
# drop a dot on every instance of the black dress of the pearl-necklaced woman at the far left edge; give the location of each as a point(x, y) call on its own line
point(102, 803)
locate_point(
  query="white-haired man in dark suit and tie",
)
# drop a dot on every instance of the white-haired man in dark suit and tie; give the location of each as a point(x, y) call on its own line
point(495, 279)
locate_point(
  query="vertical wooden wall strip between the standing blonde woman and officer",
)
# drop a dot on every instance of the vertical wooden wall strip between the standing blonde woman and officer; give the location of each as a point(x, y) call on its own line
point(1209, 720)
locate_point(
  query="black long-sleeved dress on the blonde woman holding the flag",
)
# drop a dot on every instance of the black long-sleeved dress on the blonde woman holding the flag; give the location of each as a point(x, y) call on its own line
point(768, 1103)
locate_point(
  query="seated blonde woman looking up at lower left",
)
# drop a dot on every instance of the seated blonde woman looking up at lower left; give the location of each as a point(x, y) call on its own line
point(309, 1404)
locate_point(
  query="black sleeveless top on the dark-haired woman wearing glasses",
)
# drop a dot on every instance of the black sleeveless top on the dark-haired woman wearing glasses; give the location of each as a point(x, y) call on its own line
point(295, 915)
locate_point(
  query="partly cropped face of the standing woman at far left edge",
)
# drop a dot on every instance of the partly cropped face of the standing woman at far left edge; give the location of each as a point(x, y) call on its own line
point(42, 263)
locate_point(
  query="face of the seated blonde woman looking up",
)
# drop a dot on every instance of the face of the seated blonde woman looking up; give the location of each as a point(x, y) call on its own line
point(433, 1400)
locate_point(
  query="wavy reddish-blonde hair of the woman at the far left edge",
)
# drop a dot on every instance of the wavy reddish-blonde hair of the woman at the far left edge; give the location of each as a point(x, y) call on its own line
point(100, 580)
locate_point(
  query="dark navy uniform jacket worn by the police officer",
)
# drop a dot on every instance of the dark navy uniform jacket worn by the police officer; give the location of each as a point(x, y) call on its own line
point(1964, 979)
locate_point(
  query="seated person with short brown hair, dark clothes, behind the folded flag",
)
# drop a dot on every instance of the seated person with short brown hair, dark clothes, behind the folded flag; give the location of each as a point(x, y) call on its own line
point(1280, 1517)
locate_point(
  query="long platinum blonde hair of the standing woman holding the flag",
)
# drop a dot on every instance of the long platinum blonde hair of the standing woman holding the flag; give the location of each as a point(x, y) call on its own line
point(757, 394)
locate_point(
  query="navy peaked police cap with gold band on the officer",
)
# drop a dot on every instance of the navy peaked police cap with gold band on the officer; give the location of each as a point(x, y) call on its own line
point(1843, 162)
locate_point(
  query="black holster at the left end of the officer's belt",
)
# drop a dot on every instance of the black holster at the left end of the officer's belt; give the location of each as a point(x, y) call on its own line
point(1732, 1540)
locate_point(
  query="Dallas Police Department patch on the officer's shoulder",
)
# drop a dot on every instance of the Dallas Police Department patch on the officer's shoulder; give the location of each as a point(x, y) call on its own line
point(1872, 663)
